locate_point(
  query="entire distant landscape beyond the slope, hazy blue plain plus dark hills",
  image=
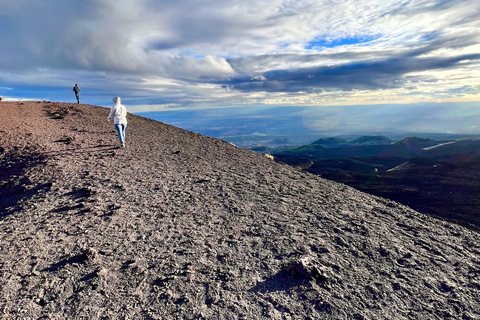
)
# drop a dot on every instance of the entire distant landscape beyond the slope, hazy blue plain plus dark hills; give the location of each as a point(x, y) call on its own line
point(435, 172)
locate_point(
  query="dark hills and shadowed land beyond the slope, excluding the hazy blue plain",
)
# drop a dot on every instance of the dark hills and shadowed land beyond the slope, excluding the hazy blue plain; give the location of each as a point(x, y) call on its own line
point(437, 177)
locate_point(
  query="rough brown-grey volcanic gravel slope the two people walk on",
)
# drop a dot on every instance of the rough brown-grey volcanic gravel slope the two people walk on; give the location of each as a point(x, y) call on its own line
point(182, 226)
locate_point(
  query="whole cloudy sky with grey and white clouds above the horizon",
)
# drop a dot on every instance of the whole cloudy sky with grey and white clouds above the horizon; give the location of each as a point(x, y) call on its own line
point(194, 54)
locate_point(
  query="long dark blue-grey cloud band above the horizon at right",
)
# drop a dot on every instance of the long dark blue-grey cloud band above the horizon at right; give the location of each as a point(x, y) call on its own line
point(369, 75)
